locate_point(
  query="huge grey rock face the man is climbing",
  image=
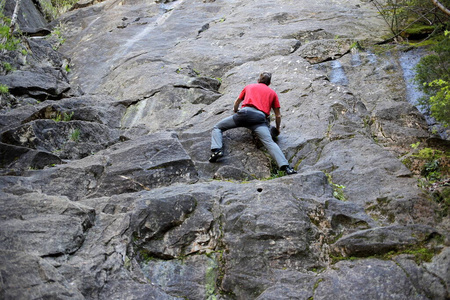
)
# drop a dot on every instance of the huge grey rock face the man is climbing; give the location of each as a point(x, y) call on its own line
point(107, 192)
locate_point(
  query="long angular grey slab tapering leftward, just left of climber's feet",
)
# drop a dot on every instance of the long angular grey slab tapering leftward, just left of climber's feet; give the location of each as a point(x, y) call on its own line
point(142, 164)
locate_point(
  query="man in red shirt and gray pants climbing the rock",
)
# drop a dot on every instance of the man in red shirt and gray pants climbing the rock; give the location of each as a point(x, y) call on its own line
point(257, 100)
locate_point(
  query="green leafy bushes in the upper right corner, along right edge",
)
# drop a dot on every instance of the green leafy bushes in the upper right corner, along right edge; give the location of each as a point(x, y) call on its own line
point(421, 23)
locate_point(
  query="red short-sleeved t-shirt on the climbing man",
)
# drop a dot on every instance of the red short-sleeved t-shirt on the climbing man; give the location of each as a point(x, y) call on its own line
point(260, 96)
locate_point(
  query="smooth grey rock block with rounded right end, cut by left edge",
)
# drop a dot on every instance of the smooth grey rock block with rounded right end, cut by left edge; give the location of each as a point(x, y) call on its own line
point(43, 225)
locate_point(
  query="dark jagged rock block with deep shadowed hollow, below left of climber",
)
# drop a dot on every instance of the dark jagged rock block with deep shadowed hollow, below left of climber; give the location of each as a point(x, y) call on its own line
point(173, 226)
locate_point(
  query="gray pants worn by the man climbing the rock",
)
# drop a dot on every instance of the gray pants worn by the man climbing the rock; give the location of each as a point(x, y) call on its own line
point(254, 120)
